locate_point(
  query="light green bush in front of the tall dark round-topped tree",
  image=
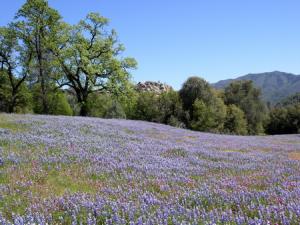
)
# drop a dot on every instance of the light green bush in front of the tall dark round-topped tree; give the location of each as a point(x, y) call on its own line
point(209, 117)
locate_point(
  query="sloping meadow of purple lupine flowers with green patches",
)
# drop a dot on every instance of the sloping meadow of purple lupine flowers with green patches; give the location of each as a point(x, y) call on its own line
point(71, 170)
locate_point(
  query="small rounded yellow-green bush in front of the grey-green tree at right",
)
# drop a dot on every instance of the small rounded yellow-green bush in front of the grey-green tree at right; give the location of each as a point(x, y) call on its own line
point(235, 122)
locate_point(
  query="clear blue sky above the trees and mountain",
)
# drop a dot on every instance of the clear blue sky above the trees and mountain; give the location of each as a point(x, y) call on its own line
point(214, 39)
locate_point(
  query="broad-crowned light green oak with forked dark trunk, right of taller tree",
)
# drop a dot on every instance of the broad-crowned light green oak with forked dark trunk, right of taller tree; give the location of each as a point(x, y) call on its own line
point(89, 58)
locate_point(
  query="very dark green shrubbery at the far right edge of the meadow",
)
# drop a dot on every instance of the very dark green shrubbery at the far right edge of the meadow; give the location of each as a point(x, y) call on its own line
point(284, 120)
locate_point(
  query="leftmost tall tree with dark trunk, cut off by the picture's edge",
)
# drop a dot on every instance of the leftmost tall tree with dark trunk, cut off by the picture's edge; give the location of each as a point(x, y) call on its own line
point(13, 90)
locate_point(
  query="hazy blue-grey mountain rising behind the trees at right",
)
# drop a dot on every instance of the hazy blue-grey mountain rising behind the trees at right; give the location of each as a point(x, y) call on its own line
point(275, 85)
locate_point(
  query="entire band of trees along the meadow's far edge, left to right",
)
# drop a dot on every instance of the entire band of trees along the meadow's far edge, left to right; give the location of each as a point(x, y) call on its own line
point(48, 66)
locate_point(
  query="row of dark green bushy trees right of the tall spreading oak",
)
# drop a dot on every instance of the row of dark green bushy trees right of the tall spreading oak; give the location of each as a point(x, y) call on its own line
point(238, 109)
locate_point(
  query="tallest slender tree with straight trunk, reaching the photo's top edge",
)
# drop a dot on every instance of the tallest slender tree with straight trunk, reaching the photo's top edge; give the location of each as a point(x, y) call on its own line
point(37, 26)
